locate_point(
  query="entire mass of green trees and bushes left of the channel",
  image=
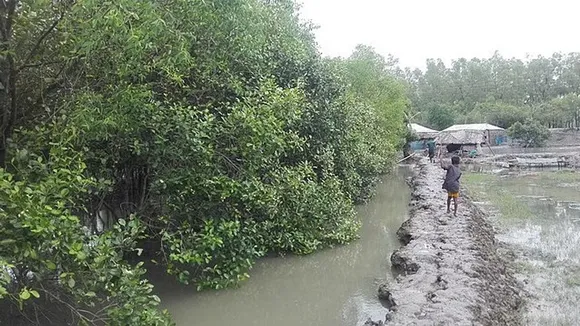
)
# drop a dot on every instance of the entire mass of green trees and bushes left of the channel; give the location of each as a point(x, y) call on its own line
point(201, 134)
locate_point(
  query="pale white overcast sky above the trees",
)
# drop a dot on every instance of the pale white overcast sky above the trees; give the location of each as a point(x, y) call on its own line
point(414, 30)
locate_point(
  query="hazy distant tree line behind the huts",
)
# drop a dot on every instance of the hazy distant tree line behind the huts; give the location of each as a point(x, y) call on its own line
point(498, 90)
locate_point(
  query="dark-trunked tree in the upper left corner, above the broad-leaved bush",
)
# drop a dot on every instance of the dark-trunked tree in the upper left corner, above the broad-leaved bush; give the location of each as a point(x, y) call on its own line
point(31, 68)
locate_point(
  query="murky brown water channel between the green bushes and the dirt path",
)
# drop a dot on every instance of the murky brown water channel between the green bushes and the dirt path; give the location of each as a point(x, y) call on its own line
point(333, 287)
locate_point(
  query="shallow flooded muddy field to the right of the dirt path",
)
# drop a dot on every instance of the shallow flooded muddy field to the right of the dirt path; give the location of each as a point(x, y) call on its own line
point(539, 214)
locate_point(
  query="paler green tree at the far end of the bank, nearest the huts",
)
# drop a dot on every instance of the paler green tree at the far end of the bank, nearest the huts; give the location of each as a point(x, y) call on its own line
point(378, 104)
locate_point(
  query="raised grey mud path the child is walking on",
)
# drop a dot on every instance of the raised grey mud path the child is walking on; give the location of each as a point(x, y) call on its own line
point(451, 269)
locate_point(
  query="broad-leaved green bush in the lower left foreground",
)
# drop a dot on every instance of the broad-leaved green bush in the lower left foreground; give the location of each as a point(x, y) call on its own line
point(55, 262)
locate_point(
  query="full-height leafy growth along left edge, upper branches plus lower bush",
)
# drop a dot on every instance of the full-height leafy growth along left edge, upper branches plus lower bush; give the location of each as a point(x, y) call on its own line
point(48, 256)
